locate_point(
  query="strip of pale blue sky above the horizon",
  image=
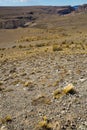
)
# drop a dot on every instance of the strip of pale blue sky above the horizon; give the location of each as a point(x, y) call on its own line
point(41, 2)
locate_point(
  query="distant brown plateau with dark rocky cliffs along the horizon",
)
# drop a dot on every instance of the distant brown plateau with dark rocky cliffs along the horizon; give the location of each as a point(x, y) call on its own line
point(13, 17)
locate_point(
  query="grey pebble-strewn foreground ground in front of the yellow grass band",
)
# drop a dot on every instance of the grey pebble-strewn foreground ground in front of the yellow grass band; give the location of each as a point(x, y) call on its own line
point(27, 88)
